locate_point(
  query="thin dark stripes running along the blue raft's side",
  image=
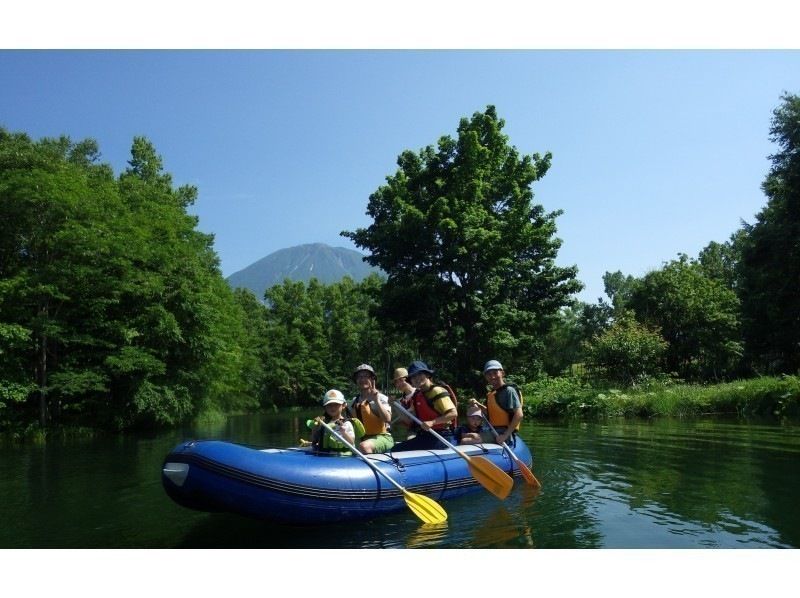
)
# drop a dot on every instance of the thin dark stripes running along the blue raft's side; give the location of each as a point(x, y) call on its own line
point(432, 489)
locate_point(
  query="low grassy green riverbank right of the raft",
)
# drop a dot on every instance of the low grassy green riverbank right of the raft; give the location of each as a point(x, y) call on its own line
point(775, 397)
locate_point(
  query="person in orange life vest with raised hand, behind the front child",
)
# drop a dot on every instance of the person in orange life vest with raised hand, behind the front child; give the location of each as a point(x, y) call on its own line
point(373, 410)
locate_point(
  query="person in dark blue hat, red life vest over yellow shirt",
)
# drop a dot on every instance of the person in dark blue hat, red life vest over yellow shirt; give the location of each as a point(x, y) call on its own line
point(433, 406)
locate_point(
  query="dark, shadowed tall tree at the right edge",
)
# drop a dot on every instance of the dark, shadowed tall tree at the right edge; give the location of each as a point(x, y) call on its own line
point(770, 263)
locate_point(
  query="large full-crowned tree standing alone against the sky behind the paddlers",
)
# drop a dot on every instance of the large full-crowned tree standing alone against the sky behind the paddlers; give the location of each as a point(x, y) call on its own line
point(470, 259)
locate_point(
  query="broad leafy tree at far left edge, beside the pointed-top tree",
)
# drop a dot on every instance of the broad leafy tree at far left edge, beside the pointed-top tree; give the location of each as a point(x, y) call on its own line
point(53, 266)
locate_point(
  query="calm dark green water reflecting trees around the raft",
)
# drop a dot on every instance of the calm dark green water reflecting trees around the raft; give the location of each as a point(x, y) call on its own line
point(614, 484)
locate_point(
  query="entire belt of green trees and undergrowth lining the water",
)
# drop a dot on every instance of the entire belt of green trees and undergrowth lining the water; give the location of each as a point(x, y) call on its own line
point(113, 311)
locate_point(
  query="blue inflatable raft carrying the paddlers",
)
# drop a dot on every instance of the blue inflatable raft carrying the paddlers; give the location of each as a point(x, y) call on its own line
point(299, 487)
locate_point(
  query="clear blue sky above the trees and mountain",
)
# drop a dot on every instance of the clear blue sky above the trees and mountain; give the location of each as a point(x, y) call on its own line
point(654, 152)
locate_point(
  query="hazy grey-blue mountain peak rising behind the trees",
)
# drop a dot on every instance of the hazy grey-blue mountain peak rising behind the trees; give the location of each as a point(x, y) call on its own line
point(303, 262)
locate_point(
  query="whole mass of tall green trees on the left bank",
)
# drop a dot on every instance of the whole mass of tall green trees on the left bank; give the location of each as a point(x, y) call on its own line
point(112, 307)
